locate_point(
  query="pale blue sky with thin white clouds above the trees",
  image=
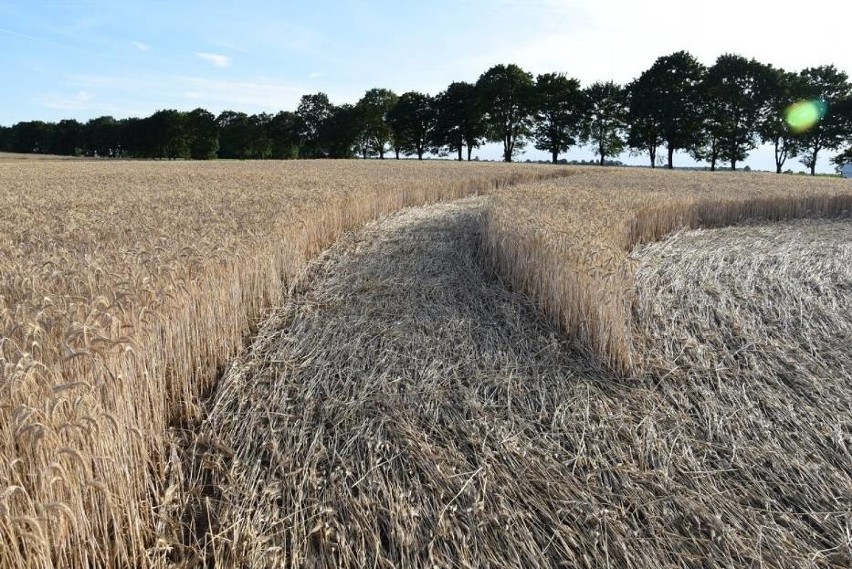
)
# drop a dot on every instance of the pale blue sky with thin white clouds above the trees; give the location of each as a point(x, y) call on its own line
point(82, 59)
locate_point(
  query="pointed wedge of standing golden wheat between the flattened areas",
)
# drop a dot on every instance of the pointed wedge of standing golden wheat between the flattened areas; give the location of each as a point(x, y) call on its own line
point(567, 242)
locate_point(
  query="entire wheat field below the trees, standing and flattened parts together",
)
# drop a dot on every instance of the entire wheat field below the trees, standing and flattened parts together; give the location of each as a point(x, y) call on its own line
point(629, 402)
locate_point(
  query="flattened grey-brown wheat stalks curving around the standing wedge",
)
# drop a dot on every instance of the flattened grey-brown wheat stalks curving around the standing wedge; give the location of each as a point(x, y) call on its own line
point(404, 409)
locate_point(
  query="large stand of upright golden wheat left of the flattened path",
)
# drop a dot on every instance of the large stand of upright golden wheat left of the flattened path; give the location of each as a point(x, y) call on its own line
point(124, 289)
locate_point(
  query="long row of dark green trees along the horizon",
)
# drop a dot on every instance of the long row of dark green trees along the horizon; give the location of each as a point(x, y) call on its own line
point(717, 114)
